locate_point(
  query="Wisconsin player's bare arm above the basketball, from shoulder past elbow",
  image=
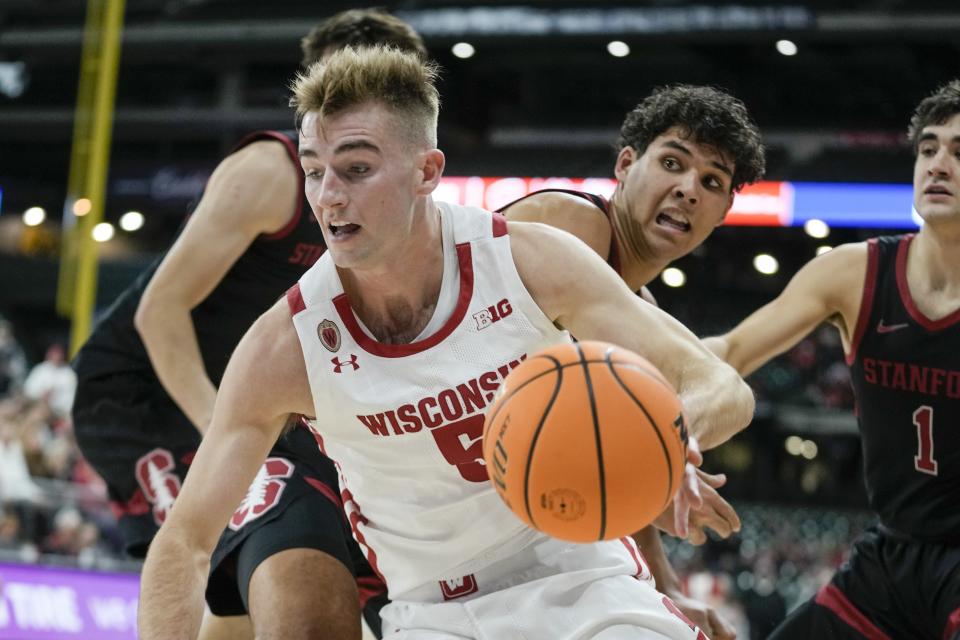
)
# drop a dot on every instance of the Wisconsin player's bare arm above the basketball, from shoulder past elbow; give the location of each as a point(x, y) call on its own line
point(587, 298)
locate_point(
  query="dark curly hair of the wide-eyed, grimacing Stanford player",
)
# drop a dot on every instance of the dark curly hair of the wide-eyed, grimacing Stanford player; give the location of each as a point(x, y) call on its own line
point(707, 115)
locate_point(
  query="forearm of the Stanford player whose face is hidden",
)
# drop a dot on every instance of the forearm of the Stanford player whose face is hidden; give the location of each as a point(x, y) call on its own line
point(171, 343)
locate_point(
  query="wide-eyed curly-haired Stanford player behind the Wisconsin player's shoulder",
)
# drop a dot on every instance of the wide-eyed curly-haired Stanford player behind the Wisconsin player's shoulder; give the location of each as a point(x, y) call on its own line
point(684, 153)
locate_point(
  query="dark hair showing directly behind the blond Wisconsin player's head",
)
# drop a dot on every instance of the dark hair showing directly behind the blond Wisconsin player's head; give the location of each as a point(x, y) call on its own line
point(360, 28)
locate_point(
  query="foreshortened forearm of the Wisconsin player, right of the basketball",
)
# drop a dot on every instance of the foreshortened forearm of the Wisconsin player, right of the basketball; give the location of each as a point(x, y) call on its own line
point(717, 403)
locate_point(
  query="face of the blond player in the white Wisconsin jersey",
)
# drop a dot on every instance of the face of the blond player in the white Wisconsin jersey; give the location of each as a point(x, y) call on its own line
point(361, 182)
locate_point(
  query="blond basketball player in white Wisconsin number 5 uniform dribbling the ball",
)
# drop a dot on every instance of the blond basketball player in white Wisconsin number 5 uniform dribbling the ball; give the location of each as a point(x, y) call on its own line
point(399, 337)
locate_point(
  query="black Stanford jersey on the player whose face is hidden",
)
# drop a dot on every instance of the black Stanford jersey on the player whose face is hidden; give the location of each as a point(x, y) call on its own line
point(269, 266)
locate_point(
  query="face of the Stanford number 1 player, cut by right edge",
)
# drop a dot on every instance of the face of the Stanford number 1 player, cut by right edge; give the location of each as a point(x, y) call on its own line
point(936, 173)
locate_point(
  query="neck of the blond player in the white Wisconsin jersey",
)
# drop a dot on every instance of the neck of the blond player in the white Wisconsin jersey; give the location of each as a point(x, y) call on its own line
point(397, 300)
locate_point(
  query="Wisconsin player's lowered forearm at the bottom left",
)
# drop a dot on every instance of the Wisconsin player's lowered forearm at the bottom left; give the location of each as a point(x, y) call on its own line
point(172, 587)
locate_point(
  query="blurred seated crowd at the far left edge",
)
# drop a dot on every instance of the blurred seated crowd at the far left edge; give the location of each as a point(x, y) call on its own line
point(51, 501)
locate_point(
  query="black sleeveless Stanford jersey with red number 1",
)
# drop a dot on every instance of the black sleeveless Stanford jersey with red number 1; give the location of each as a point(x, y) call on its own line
point(905, 370)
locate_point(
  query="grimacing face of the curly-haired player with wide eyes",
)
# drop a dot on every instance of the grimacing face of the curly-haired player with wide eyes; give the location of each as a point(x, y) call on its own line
point(677, 192)
